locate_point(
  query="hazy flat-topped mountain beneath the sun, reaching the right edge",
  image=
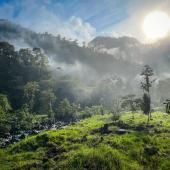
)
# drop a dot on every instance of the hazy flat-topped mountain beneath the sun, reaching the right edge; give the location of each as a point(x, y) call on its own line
point(130, 49)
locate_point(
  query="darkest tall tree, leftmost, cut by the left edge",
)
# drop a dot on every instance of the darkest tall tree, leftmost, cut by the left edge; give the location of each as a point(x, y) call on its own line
point(10, 73)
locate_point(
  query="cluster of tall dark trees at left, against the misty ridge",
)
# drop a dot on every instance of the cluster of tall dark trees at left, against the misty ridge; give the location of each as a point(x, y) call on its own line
point(19, 68)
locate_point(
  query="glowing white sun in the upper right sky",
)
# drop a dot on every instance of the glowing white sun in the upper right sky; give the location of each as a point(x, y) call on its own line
point(156, 25)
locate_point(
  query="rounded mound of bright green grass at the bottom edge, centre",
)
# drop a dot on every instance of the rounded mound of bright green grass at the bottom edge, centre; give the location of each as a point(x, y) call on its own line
point(102, 157)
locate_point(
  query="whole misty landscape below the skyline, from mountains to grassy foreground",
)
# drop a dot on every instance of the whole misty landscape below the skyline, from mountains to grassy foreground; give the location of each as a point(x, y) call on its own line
point(50, 84)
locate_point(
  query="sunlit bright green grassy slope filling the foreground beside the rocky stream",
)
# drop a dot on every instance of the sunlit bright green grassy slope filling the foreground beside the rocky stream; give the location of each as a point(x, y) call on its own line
point(81, 146)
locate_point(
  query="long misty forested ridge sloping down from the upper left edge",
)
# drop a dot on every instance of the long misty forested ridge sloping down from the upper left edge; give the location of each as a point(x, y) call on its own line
point(67, 52)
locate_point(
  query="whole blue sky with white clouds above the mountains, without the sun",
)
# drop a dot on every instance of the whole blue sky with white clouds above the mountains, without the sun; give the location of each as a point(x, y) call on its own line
point(81, 19)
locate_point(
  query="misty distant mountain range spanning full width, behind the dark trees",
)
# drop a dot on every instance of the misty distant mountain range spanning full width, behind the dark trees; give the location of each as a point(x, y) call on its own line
point(103, 55)
